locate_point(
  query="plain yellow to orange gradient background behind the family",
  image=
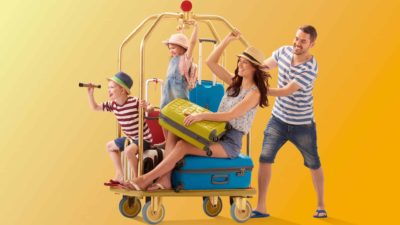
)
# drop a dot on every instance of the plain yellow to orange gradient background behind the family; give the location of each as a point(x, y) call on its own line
point(52, 146)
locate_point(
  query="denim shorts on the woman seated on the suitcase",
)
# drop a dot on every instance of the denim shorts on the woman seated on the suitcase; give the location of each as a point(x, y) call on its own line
point(231, 141)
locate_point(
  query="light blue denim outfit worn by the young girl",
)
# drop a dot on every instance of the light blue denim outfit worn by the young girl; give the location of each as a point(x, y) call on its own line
point(175, 87)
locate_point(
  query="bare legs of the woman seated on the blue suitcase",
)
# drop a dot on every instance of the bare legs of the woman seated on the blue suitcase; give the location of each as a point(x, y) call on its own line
point(181, 149)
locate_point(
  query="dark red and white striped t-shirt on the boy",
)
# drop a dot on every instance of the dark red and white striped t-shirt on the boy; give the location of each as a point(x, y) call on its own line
point(128, 117)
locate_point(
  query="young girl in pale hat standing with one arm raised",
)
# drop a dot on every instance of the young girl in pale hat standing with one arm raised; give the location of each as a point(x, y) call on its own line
point(181, 77)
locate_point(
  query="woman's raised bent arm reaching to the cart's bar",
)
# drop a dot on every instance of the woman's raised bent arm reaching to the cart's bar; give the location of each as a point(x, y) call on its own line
point(213, 58)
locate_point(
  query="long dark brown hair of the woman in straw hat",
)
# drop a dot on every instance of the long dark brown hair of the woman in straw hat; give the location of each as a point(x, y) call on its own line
point(260, 78)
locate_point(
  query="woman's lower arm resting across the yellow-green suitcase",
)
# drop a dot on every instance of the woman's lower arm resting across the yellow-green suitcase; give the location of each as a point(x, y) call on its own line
point(250, 101)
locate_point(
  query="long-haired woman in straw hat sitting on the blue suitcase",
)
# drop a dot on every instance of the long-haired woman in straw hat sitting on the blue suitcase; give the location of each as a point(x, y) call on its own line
point(247, 88)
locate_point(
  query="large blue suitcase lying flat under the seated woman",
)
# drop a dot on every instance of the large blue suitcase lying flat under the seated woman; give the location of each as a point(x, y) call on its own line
point(204, 173)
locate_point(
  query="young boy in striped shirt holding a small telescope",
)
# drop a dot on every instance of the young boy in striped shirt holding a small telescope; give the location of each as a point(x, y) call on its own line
point(126, 109)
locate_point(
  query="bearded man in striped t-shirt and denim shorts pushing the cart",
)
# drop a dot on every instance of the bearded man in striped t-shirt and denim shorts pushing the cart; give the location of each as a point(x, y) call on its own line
point(292, 115)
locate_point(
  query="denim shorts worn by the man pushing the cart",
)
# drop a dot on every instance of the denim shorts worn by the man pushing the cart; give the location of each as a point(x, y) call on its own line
point(304, 137)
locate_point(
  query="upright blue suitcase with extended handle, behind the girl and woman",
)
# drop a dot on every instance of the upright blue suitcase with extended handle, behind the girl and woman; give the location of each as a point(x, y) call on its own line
point(207, 94)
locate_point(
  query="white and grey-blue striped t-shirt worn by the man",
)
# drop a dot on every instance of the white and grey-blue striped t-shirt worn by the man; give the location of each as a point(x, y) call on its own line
point(296, 108)
